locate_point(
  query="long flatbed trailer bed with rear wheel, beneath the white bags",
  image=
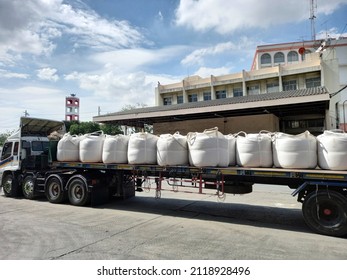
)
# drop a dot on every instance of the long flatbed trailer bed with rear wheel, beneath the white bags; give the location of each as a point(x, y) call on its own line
point(321, 192)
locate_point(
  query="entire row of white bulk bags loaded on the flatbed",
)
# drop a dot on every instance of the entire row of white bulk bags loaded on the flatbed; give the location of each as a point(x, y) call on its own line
point(210, 148)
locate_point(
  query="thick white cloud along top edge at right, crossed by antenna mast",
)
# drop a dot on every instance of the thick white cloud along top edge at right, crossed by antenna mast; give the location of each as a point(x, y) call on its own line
point(224, 16)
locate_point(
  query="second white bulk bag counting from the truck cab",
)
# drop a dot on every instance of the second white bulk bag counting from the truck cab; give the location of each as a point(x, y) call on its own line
point(91, 147)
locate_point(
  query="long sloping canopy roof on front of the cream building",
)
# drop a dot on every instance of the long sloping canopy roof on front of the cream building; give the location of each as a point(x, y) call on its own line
point(282, 104)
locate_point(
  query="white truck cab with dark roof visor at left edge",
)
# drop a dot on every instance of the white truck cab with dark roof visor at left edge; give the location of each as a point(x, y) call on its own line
point(28, 141)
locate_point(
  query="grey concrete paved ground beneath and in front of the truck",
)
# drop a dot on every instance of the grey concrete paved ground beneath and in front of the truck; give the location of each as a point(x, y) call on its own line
point(266, 224)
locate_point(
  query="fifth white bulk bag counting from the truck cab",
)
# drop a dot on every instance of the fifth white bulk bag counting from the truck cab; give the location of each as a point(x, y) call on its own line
point(172, 149)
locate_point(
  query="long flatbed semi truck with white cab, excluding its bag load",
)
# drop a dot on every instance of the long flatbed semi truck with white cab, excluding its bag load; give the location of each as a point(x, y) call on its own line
point(29, 167)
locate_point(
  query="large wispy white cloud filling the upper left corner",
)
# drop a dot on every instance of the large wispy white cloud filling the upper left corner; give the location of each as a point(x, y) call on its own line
point(30, 27)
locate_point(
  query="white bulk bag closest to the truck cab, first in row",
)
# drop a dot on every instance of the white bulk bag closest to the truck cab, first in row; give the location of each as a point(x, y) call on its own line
point(68, 148)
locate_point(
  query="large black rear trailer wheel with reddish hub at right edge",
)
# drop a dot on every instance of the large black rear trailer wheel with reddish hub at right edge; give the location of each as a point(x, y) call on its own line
point(325, 212)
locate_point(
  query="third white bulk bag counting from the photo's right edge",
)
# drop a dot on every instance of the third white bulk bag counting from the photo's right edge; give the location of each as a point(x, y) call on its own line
point(254, 149)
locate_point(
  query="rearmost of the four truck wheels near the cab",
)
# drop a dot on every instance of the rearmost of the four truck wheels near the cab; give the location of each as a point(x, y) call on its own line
point(78, 192)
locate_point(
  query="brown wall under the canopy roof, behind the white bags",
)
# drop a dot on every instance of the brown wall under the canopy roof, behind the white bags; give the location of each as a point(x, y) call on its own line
point(249, 124)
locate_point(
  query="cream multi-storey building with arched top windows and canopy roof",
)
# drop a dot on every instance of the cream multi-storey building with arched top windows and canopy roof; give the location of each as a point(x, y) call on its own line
point(291, 87)
